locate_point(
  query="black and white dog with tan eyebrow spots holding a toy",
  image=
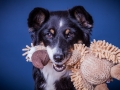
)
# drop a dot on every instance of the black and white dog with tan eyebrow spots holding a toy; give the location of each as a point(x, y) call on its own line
point(58, 30)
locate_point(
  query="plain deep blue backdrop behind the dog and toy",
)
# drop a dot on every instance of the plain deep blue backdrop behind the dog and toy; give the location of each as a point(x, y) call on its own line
point(15, 72)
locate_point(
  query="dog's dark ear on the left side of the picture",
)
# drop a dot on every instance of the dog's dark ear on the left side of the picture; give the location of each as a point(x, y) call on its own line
point(36, 18)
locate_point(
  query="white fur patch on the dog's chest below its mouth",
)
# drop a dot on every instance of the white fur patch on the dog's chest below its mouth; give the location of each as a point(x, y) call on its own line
point(51, 76)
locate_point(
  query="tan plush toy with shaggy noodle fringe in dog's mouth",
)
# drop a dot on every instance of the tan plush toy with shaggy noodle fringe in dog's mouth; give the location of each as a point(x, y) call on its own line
point(91, 67)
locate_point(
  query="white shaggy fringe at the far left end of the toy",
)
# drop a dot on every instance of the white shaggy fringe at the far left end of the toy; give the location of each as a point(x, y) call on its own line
point(29, 50)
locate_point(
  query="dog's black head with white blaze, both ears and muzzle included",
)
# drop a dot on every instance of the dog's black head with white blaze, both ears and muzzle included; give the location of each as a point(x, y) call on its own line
point(59, 30)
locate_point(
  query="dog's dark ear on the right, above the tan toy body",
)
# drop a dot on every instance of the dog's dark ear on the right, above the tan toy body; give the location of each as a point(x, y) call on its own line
point(82, 16)
